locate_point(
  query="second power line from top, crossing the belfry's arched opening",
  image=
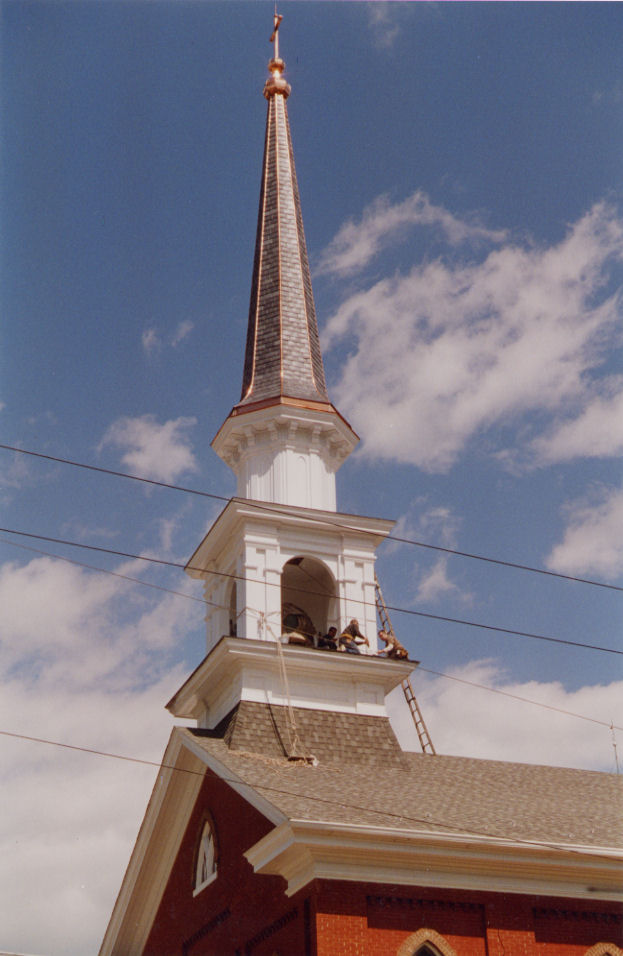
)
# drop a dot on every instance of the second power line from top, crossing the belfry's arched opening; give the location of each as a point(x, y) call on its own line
point(400, 610)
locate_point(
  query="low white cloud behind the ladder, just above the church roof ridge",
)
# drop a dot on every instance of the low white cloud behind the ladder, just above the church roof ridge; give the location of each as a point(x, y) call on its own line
point(466, 721)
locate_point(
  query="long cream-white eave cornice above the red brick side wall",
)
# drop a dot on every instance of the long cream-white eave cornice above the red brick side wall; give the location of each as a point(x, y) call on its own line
point(300, 851)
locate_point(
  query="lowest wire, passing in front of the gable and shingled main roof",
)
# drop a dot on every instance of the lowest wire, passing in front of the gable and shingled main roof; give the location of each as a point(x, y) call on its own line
point(383, 812)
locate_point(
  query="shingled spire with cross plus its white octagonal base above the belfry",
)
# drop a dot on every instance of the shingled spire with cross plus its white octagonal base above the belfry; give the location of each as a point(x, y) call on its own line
point(283, 439)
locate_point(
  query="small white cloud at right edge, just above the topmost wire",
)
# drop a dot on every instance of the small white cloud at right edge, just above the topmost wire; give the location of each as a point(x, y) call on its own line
point(593, 539)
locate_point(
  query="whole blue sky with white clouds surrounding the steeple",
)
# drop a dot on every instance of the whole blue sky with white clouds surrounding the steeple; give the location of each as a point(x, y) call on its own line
point(460, 176)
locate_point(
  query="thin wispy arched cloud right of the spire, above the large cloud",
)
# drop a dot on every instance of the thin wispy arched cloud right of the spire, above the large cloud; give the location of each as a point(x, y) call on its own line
point(357, 243)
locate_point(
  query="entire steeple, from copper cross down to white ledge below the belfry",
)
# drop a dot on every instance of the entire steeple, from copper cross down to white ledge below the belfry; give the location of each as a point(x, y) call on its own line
point(263, 565)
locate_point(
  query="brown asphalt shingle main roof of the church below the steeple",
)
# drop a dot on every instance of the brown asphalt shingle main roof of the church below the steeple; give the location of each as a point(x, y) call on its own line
point(421, 792)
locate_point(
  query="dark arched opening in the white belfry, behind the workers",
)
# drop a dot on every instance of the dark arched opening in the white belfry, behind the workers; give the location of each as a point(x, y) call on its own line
point(308, 598)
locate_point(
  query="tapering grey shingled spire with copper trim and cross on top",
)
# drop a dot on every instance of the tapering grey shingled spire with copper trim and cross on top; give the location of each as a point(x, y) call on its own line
point(283, 358)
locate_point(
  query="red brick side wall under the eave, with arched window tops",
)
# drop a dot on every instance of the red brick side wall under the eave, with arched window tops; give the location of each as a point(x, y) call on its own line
point(379, 918)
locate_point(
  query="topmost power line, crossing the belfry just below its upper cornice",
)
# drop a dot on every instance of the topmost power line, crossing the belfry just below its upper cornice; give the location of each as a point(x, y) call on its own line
point(275, 509)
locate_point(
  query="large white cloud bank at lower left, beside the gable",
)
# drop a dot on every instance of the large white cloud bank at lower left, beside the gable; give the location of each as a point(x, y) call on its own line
point(85, 659)
